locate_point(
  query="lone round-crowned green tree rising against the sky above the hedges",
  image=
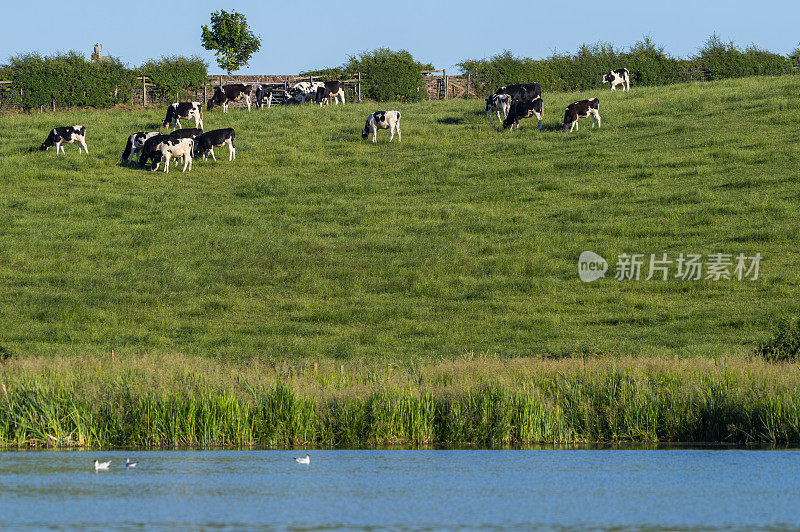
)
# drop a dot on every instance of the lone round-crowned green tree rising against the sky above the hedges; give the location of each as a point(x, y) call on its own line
point(231, 38)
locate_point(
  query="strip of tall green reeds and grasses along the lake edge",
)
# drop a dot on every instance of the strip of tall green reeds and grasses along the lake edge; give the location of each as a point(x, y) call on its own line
point(177, 400)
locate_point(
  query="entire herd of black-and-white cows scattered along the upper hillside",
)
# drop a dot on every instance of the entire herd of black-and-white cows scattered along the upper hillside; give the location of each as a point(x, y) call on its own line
point(511, 103)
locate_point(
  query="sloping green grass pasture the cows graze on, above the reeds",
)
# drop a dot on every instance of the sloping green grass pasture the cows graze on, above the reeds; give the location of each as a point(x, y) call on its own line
point(462, 238)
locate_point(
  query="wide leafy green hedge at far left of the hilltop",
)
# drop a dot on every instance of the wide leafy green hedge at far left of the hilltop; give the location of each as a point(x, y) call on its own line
point(69, 80)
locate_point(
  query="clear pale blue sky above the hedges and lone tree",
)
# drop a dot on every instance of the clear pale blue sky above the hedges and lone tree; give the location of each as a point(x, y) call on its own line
point(305, 35)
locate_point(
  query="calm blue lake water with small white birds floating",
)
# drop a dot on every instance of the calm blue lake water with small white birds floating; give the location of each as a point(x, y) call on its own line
point(403, 490)
